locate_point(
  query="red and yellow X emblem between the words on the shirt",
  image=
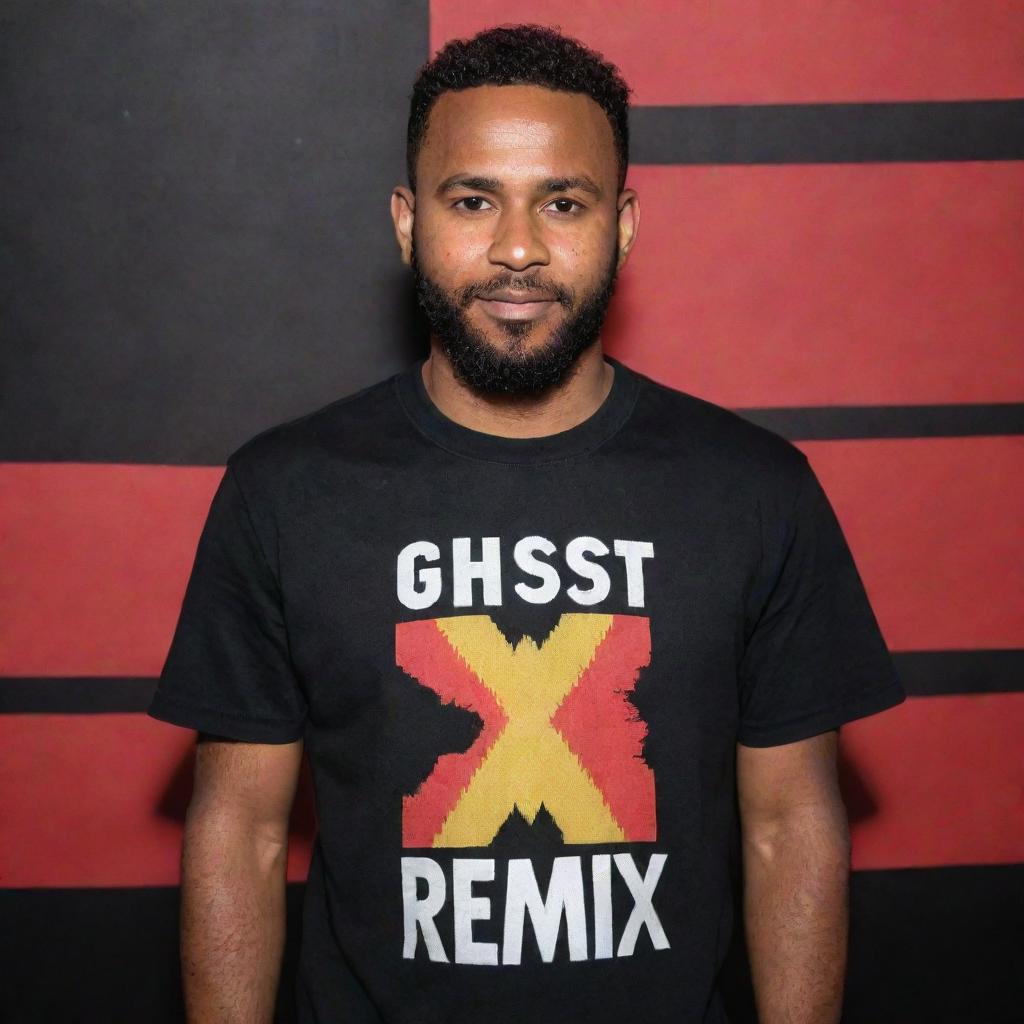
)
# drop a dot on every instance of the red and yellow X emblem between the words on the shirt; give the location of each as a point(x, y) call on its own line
point(559, 731)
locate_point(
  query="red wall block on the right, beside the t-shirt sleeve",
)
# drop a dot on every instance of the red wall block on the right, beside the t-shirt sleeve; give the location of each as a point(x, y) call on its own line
point(937, 529)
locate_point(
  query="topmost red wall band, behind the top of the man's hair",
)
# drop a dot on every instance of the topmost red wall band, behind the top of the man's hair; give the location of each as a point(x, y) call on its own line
point(790, 52)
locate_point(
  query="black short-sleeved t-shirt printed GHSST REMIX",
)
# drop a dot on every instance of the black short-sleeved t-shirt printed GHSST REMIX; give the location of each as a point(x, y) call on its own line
point(522, 668)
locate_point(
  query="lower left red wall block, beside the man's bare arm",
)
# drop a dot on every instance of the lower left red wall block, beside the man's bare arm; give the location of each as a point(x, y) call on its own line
point(100, 800)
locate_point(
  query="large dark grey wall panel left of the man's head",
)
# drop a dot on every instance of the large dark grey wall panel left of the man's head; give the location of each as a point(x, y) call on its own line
point(195, 237)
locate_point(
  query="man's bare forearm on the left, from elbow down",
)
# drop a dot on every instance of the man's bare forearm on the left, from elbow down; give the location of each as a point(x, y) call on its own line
point(233, 923)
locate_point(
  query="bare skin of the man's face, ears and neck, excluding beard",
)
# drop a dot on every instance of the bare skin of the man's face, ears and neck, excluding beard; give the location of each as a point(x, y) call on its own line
point(522, 180)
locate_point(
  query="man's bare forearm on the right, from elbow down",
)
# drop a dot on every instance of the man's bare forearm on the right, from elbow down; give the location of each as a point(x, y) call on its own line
point(797, 918)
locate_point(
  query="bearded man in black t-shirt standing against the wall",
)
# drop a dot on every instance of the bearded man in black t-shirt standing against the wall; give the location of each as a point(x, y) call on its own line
point(565, 647)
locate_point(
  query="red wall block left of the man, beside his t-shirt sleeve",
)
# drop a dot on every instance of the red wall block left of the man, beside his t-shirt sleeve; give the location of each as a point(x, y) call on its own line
point(96, 561)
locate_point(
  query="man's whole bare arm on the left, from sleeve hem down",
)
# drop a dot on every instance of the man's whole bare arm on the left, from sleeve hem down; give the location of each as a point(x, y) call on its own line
point(233, 879)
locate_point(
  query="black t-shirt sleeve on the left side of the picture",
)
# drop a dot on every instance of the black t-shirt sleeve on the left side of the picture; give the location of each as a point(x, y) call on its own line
point(229, 670)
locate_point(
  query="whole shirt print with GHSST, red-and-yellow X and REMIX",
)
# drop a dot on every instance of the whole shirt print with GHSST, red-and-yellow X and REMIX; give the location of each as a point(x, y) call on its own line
point(557, 757)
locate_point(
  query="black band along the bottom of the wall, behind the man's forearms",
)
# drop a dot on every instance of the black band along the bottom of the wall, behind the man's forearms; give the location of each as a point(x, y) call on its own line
point(115, 951)
